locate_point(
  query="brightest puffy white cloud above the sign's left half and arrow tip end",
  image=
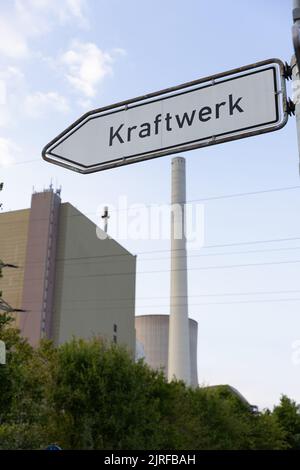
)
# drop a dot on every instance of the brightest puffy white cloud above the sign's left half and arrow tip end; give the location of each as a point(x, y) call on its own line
point(86, 67)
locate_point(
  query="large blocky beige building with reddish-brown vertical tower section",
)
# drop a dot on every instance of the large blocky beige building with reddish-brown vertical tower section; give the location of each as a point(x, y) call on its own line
point(70, 282)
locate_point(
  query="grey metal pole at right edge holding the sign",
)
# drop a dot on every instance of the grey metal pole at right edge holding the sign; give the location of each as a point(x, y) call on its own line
point(295, 65)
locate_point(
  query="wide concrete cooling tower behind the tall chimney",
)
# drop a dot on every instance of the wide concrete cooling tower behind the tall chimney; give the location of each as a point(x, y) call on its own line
point(152, 333)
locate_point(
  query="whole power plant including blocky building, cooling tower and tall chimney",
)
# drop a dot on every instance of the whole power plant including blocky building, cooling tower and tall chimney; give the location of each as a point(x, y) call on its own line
point(72, 283)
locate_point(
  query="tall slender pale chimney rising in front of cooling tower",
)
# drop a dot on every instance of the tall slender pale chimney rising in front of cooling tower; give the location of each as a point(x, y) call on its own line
point(179, 347)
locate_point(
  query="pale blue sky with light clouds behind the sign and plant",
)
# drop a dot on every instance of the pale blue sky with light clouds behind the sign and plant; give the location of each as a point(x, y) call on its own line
point(61, 58)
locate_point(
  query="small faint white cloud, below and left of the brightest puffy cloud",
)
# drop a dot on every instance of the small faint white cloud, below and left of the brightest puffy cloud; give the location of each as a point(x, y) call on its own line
point(39, 104)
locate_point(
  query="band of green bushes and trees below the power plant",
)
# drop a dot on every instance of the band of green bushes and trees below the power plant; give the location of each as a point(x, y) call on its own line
point(91, 395)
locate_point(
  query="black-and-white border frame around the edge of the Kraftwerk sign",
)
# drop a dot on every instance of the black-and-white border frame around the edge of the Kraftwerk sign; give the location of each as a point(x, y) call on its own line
point(147, 99)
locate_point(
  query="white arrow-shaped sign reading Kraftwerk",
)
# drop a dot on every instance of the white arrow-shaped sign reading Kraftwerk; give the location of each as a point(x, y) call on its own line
point(231, 105)
